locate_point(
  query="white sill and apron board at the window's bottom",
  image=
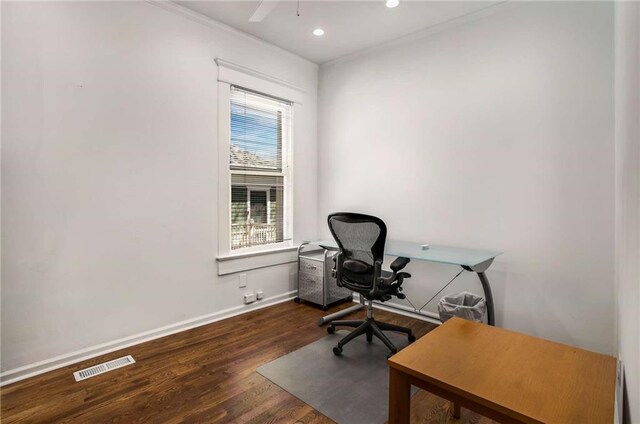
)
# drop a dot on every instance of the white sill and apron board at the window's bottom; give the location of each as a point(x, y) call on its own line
point(229, 264)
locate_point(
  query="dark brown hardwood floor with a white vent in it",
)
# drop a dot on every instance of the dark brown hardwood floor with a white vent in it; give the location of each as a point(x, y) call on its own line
point(204, 375)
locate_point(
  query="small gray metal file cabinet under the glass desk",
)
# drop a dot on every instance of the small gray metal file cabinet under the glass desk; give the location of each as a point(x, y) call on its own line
point(315, 283)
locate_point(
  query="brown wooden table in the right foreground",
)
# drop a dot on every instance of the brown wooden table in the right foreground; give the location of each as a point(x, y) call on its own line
point(503, 375)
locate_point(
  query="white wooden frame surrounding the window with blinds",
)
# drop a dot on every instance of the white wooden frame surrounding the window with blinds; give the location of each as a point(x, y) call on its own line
point(231, 74)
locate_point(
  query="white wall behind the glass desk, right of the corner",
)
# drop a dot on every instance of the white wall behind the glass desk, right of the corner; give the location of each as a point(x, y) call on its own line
point(497, 133)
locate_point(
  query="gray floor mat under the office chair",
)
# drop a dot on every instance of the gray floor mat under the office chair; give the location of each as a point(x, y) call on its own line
point(349, 389)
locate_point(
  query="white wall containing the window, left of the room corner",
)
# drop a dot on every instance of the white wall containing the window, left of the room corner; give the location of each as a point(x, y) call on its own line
point(109, 178)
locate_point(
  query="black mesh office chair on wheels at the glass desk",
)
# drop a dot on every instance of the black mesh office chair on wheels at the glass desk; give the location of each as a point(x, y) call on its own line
point(358, 267)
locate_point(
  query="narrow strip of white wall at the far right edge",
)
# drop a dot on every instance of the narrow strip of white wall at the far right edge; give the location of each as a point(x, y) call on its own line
point(627, 141)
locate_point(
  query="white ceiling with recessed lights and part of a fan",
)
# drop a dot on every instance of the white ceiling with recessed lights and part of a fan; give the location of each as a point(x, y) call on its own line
point(349, 26)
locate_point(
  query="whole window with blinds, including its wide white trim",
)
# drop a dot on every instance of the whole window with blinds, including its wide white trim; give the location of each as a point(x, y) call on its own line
point(257, 124)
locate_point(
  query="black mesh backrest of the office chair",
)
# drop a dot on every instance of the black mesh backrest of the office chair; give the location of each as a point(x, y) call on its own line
point(359, 237)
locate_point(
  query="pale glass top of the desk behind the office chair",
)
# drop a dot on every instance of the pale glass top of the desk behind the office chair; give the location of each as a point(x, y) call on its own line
point(435, 253)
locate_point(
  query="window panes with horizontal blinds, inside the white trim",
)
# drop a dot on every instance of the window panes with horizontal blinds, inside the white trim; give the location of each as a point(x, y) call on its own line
point(259, 164)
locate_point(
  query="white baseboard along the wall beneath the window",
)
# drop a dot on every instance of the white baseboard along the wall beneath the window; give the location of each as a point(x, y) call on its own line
point(31, 370)
